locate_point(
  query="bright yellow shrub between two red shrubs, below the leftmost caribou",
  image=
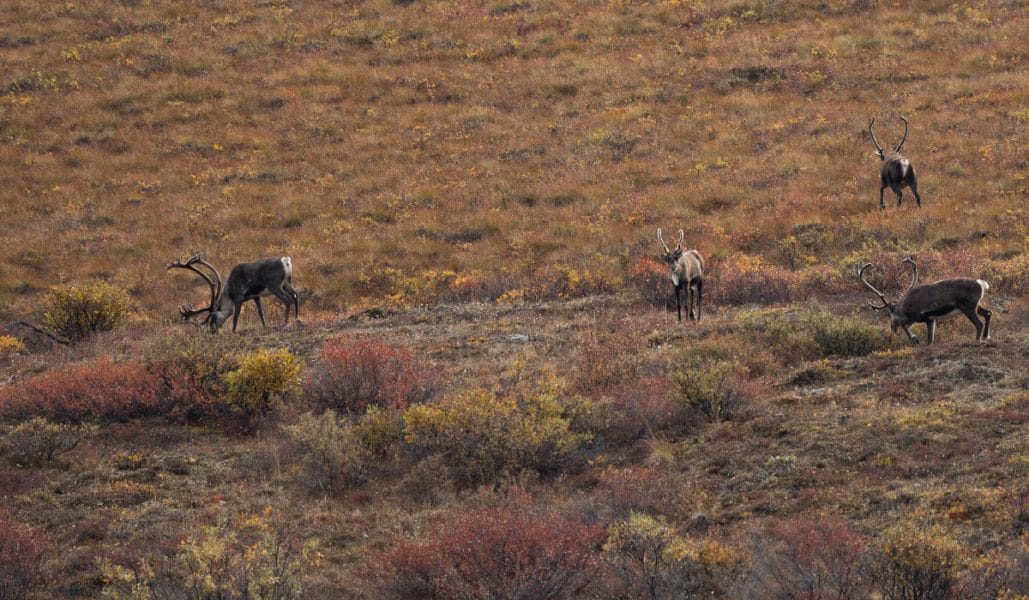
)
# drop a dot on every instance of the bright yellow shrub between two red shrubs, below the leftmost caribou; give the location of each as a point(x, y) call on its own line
point(255, 390)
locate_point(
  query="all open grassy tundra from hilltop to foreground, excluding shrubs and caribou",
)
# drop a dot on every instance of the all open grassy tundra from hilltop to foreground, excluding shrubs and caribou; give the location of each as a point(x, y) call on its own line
point(361, 138)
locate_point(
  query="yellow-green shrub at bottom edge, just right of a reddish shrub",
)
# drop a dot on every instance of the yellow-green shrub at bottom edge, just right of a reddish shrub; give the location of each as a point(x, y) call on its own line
point(914, 562)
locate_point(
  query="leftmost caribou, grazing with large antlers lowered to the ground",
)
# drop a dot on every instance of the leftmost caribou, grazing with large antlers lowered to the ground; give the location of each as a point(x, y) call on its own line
point(246, 281)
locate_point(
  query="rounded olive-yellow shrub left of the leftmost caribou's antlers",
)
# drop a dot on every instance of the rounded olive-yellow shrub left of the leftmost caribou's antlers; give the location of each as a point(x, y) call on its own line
point(77, 312)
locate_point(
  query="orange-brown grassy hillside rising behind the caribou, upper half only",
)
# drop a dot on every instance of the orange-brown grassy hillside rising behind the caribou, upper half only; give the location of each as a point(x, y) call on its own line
point(375, 143)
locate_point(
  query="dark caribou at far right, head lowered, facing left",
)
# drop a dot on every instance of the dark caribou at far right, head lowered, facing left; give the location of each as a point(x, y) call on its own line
point(929, 302)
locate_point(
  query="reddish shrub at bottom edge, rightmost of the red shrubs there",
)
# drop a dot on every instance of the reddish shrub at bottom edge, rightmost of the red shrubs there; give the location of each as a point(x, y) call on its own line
point(810, 558)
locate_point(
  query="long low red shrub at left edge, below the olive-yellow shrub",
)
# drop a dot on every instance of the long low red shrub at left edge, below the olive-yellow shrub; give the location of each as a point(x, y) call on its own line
point(98, 391)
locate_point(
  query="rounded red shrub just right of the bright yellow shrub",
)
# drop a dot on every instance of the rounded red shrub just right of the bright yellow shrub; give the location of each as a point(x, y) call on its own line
point(352, 376)
